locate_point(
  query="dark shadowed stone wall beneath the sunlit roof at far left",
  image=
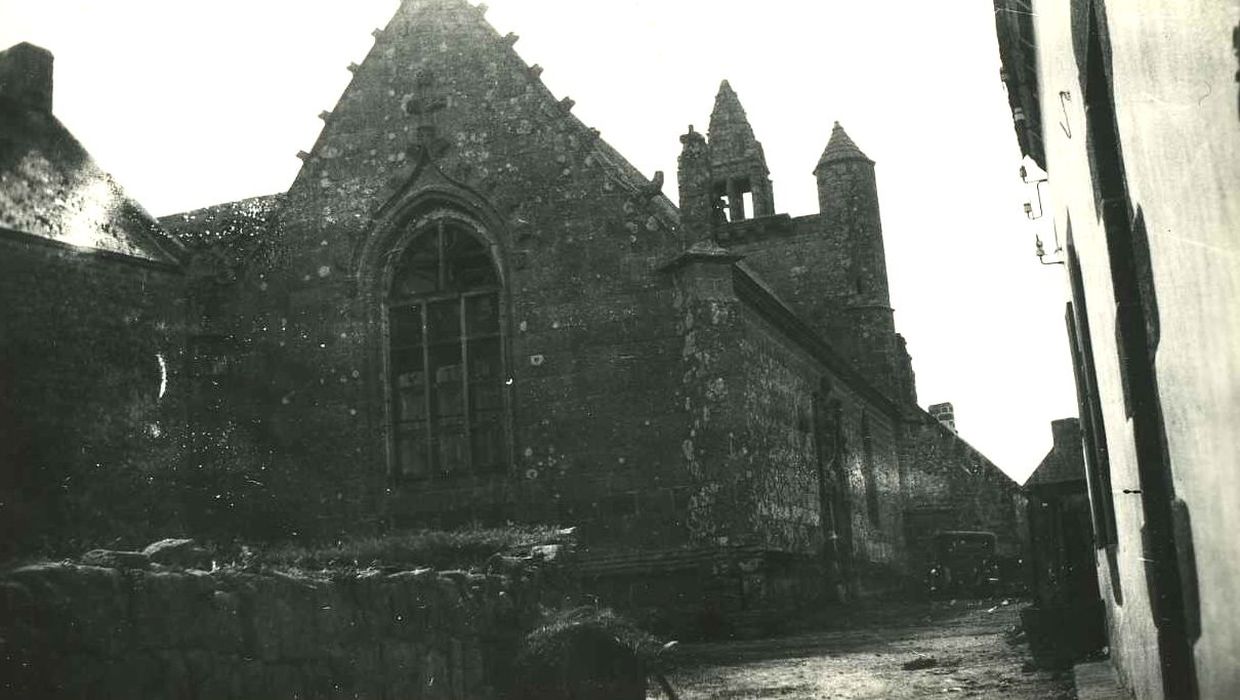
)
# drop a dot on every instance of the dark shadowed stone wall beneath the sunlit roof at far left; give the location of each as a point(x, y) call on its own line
point(92, 391)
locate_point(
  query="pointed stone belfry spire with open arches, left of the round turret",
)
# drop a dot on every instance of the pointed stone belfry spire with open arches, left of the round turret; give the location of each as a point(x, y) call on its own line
point(738, 165)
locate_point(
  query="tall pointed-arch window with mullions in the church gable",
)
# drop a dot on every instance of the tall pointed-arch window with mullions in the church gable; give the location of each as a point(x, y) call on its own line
point(446, 356)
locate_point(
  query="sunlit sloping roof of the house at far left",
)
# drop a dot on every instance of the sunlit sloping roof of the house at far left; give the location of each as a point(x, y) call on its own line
point(51, 188)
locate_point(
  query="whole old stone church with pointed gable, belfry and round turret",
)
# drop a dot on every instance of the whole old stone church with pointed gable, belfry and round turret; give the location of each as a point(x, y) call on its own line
point(468, 308)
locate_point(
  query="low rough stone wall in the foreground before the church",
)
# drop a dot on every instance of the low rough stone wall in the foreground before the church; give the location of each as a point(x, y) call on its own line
point(71, 631)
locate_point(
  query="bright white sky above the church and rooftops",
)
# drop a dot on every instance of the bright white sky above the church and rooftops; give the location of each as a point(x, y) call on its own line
point(193, 103)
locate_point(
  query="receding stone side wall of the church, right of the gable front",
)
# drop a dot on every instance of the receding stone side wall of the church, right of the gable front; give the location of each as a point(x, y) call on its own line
point(752, 450)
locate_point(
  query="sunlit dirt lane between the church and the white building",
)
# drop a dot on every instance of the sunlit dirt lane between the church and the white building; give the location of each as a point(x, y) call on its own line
point(943, 650)
